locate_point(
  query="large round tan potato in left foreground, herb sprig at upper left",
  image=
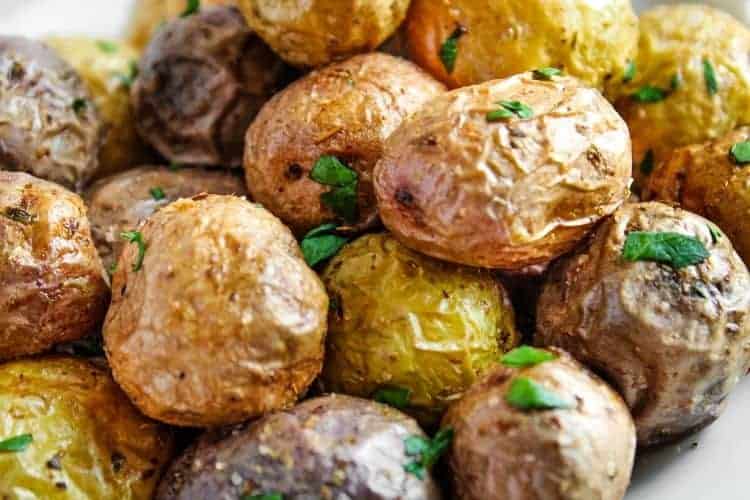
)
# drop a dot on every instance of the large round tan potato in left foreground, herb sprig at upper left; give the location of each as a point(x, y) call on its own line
point(224, 321)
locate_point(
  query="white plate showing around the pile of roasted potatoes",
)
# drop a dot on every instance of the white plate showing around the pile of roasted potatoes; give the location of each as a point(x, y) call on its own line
point(710, 465)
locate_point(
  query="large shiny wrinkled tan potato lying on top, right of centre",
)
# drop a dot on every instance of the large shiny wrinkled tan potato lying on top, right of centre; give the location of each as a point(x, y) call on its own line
point(507, 194)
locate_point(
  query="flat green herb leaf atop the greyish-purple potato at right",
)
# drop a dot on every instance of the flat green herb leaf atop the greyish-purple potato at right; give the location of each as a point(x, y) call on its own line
point(674, 249)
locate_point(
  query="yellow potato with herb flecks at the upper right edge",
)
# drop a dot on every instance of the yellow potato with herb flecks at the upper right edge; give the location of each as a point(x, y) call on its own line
point(676, 39)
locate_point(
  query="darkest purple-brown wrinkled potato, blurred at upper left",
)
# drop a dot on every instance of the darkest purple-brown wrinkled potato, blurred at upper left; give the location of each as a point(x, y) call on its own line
point(202, 80)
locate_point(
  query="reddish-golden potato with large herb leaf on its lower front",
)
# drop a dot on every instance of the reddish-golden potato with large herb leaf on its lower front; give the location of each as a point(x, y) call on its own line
point(347, 110)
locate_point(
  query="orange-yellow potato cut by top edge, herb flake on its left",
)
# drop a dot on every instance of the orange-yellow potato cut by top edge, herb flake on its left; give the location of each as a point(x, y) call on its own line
point(590, 40)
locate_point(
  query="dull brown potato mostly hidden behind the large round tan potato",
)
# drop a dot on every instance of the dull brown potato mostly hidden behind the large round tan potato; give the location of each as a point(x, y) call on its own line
point(120, 202)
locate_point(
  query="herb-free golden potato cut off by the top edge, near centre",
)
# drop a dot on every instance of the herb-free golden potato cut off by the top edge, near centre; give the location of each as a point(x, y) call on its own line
point(318, 32)
